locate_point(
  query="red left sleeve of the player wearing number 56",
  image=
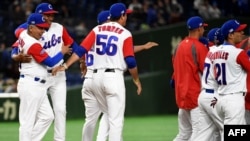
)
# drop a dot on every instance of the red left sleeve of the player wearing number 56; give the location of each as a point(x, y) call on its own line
point(89, 41)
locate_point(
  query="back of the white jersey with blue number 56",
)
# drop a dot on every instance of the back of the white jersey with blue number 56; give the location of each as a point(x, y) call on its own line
point(110, 46)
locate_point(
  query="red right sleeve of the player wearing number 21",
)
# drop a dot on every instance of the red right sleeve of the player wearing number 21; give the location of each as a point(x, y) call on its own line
point(243, 60)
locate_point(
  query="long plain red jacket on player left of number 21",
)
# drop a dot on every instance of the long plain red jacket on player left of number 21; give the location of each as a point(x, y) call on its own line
point(188, 64)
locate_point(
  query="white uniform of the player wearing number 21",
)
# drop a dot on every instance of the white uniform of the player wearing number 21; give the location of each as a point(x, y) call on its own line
point(231, 79)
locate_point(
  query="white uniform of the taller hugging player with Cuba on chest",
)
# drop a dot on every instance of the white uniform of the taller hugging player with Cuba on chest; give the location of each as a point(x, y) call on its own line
point(53, 39)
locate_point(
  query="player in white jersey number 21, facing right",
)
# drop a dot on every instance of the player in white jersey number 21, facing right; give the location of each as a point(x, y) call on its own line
point(230, 74)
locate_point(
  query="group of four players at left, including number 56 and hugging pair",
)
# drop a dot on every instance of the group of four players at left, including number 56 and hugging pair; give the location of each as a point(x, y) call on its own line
point(104, 54)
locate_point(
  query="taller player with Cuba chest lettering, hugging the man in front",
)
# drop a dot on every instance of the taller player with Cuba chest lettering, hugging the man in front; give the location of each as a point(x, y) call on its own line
point(52, 40)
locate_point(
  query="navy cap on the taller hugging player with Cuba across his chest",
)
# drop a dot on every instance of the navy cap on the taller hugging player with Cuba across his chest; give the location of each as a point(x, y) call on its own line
point(45, 8)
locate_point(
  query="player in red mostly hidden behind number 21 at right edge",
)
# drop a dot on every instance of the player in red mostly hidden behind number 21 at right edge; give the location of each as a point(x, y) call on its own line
point(245, 45)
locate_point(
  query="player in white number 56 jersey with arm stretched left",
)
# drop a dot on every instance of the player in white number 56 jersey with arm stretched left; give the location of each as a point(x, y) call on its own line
point(113, 54)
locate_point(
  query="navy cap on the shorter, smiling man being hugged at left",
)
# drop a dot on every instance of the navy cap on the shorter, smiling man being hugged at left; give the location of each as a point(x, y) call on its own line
point(37, 20)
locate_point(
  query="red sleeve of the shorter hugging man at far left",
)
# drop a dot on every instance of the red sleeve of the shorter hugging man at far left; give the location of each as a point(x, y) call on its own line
point(37, 52)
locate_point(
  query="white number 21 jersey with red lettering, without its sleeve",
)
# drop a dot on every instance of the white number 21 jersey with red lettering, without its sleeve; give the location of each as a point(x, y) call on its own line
point(230, 76)
